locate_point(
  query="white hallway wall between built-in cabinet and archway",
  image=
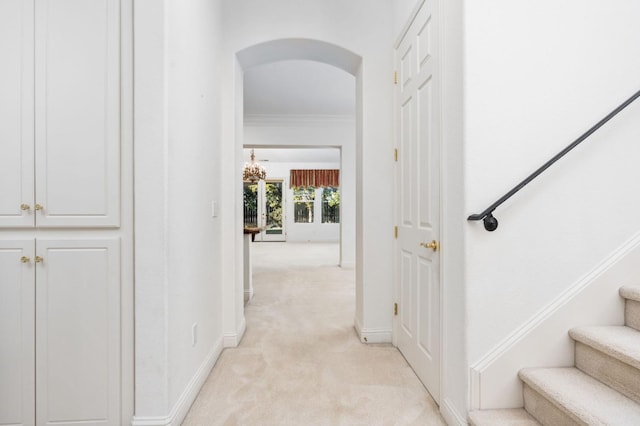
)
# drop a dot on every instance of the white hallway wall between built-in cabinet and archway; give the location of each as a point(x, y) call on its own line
point(177, 240)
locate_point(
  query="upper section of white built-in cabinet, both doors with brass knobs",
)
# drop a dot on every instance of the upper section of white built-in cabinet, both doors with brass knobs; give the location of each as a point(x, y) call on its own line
point(60, 109)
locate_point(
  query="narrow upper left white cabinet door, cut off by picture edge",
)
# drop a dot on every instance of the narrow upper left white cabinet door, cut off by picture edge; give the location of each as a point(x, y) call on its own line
point(16, 113)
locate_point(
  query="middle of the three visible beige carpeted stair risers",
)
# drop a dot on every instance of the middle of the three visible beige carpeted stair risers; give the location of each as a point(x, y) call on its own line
point(610, 371)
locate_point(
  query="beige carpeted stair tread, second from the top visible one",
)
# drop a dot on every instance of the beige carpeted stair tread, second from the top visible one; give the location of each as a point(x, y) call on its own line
point(619, 342)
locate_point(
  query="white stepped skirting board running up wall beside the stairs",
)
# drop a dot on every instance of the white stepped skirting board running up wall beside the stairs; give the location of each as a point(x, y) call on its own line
point(543, 340)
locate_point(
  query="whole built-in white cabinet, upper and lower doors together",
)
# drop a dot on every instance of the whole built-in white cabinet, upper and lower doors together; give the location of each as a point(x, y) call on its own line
point(60, 205)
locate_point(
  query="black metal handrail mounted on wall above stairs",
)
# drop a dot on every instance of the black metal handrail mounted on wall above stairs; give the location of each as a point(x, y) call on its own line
point(490, 222)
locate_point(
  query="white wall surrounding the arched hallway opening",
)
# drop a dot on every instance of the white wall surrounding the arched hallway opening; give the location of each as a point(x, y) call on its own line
point(367, 32)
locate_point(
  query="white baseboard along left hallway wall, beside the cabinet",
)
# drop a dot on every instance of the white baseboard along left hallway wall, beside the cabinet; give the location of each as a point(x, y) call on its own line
point(183, 404)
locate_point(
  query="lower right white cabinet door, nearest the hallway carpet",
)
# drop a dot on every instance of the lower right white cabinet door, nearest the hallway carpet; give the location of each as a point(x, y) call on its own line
point(78, 332)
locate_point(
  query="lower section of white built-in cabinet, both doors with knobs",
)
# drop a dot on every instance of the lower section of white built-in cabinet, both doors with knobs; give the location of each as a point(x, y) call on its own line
point(60, 352)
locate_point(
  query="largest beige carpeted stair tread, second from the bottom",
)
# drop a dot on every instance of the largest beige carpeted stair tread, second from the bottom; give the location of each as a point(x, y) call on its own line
point(582, 397)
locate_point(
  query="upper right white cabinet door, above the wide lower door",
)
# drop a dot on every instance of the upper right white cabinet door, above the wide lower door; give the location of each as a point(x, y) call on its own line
point(77, 122)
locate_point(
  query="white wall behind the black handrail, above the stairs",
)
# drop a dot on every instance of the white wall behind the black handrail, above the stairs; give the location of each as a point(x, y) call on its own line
point(537, 75)
